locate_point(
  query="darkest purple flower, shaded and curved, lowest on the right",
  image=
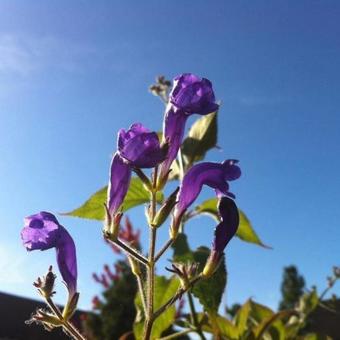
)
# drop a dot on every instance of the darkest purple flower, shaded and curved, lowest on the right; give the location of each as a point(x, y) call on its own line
point(224, 232)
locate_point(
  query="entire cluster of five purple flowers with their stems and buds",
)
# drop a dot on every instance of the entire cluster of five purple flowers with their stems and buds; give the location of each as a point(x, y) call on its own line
point(139, 148)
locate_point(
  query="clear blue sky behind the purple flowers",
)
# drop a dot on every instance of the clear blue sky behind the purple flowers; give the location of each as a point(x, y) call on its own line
point(72, 74)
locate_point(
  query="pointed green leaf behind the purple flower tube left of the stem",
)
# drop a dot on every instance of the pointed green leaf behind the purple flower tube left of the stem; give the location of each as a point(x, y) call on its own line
point(93, 208)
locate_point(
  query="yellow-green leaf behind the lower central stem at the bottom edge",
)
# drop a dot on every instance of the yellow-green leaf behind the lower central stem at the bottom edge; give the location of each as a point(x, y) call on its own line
point(164, 290)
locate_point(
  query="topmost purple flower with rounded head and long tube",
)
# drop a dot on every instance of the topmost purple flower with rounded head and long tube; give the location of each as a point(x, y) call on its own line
point(190, 94)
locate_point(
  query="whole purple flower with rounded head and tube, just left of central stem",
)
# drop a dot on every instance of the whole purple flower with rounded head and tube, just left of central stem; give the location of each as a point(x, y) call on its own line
point(137, 147)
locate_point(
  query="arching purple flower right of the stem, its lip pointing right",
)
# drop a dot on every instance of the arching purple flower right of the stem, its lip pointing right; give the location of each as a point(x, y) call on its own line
point(214, 175)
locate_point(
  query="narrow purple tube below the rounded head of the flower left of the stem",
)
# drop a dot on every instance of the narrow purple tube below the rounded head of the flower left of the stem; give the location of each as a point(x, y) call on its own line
point(120, 176)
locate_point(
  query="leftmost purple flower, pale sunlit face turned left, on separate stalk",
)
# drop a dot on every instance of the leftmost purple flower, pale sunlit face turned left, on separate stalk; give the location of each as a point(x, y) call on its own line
point(42, 231)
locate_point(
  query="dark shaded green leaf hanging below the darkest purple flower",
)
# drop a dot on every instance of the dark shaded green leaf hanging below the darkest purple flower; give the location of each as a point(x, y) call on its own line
point(210, 291)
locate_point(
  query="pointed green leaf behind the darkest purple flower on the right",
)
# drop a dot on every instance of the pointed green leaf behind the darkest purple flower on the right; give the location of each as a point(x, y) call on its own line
point(245, 230)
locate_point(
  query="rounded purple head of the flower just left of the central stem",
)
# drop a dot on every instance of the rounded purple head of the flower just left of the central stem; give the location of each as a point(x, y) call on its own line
point(140, 147)
